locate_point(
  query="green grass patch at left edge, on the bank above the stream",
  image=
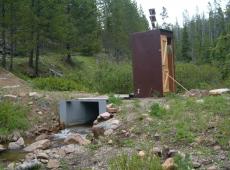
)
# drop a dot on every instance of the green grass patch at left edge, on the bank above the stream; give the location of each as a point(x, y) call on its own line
point(13, 117)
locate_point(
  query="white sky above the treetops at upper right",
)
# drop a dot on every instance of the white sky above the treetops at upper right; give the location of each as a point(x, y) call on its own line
point(175, 8)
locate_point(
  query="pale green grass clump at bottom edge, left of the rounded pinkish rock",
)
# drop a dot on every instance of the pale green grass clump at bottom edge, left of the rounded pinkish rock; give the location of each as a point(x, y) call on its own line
point(134, 162)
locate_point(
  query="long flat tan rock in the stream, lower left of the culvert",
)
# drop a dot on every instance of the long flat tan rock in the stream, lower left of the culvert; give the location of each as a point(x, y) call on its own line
point(42, 144)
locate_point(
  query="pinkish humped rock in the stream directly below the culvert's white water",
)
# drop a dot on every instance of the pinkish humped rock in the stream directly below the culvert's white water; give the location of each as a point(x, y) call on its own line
point(76, 139)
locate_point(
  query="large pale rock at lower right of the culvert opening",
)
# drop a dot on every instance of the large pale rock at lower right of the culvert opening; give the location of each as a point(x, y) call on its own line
point(101, 127)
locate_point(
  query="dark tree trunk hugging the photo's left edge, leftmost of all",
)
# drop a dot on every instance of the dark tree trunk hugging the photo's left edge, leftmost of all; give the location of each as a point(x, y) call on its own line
point(3, 37)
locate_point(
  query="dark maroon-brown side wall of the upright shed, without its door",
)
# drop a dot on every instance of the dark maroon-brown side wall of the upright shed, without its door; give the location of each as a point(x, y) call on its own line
point(147, 67)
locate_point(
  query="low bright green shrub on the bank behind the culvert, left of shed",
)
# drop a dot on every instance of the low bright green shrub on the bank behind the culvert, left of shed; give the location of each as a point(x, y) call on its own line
point(56, 84)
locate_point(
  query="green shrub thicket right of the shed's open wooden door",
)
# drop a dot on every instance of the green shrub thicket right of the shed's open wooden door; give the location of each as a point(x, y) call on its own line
point(197, 76)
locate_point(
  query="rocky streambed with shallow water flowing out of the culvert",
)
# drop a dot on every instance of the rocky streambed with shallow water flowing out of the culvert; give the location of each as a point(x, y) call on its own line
point(49, 150)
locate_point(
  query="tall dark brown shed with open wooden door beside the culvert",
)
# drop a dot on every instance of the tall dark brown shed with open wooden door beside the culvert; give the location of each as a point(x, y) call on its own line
point(153, 63)
